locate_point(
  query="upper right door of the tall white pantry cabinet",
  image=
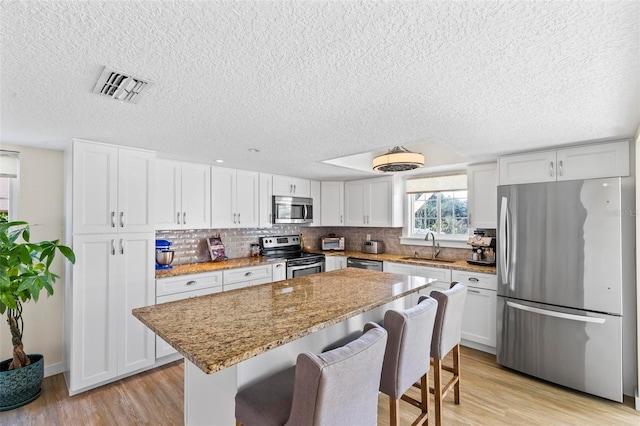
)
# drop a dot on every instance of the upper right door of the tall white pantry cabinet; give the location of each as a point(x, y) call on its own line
point(136, 190)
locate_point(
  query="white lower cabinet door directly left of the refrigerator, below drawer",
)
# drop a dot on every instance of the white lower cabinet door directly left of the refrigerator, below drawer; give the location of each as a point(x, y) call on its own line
point(479, 318)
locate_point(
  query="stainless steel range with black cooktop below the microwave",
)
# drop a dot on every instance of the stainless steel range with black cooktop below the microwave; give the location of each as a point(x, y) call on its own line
point(299, 263)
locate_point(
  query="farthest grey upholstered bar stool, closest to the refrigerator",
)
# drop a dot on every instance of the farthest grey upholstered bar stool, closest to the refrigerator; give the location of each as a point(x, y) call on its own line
point(446, 338)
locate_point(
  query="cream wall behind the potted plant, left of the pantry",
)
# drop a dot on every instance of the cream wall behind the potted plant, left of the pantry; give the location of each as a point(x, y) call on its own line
point(41, 204)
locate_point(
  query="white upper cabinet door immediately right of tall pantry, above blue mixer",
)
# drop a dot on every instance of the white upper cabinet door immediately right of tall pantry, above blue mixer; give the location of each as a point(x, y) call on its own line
point(168, 188)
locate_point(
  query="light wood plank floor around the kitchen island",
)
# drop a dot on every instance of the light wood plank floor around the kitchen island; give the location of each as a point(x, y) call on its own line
point(491, 395)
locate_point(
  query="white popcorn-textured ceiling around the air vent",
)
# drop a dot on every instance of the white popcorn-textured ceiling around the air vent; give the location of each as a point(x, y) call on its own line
point(309, 81)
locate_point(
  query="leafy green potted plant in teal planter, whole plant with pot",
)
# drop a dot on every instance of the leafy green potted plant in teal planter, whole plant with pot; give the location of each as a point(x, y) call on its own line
point(24, 273)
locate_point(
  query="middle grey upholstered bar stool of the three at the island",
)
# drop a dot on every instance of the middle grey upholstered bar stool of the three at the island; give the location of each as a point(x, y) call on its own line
point(406, 359)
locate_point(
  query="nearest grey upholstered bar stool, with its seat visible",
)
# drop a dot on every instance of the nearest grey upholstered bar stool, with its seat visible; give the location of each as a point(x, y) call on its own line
point(338, 387)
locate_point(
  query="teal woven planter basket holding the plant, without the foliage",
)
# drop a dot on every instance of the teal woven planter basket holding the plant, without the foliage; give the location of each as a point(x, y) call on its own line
point(20, 387)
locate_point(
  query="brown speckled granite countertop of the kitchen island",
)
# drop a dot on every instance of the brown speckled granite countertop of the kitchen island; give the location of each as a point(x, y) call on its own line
point(219, 330)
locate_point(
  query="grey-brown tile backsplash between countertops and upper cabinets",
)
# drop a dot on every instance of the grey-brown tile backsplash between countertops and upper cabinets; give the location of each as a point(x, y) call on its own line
point(190, 246)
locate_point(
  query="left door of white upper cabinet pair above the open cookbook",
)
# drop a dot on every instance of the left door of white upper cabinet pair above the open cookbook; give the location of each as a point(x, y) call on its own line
point(223, 189)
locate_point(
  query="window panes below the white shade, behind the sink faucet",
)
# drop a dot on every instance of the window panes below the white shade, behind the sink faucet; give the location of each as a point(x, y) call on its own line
point(443, 213)
